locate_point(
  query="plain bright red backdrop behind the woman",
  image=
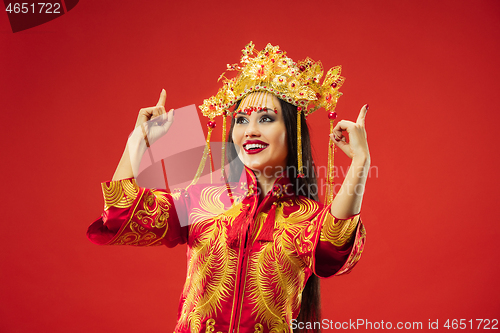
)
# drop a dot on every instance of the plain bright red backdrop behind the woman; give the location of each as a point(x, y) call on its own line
point(70, 91)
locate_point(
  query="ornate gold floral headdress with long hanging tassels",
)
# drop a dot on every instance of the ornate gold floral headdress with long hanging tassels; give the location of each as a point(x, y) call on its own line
point(270, 70)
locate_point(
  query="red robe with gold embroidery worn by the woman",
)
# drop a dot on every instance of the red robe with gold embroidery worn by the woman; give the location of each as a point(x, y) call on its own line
point(255, 284)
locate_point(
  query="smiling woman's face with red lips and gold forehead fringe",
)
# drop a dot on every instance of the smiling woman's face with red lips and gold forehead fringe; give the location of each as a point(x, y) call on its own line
point(260, 134)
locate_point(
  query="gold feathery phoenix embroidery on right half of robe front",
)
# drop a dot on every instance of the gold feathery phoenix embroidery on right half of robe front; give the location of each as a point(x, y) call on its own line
point(276, 274)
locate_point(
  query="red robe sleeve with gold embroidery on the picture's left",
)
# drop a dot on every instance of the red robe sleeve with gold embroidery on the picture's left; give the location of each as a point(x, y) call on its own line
point(140, 217)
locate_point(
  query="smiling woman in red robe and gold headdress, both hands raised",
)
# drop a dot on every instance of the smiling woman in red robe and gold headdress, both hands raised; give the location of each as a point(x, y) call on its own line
point(254, 246)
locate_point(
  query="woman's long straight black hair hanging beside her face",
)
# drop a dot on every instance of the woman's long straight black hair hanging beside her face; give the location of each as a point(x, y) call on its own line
point(310, 308)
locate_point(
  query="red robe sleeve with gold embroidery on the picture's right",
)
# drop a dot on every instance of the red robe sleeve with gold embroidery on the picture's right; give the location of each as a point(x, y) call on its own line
point(331, 246)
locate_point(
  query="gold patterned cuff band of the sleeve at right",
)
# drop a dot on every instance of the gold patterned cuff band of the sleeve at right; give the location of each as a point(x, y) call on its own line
point(338, 233)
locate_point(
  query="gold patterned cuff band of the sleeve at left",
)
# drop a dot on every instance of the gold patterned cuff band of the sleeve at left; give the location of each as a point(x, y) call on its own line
point(119, 194)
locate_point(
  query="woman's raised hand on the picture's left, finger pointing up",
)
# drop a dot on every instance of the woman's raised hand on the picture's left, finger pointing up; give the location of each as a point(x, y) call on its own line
point(155, 121)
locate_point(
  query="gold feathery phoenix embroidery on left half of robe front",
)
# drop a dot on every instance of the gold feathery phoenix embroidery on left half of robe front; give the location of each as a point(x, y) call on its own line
point(212, 264)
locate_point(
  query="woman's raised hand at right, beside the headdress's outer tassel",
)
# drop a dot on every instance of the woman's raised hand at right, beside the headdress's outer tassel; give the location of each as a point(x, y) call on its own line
point(357, 147)
